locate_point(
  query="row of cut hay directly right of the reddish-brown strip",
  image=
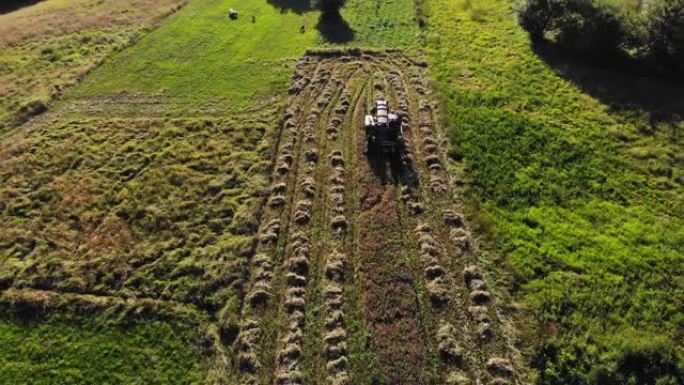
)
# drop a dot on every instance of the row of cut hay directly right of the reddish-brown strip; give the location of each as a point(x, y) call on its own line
point(440, 303)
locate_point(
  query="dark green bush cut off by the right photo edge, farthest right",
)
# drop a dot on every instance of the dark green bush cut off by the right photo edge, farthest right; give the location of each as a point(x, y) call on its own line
point(666, 34)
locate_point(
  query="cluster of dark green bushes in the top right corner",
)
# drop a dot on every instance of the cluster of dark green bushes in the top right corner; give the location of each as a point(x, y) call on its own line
point(606, 28)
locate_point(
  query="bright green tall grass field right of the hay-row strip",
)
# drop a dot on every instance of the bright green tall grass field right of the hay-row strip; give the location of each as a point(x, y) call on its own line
point(584, 192)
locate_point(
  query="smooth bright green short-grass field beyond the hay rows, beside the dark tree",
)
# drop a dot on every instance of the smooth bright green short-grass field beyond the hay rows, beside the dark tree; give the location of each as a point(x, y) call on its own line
point(201, 60)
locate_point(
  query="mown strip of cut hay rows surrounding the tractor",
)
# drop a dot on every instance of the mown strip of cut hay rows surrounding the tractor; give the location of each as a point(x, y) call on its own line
point(364, 272)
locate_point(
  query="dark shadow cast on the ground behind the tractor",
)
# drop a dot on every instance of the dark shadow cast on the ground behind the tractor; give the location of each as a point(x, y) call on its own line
point(396, 169)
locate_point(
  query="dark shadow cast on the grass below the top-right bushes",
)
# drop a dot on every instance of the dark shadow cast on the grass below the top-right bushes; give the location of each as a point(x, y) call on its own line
point(624, 84)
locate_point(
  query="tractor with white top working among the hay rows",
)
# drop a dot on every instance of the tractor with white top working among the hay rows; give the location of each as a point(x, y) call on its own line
point(383, 130)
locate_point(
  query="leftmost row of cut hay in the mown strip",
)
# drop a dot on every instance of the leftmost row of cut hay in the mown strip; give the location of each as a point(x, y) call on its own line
point(258, 309)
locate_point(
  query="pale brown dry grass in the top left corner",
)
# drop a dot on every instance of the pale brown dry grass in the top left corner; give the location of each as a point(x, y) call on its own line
point(58, 17)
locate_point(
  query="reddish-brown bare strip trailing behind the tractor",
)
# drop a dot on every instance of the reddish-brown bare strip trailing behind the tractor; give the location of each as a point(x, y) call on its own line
point(392, 310)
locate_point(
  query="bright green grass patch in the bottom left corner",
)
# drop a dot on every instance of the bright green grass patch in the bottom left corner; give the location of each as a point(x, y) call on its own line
point(64, 350)
